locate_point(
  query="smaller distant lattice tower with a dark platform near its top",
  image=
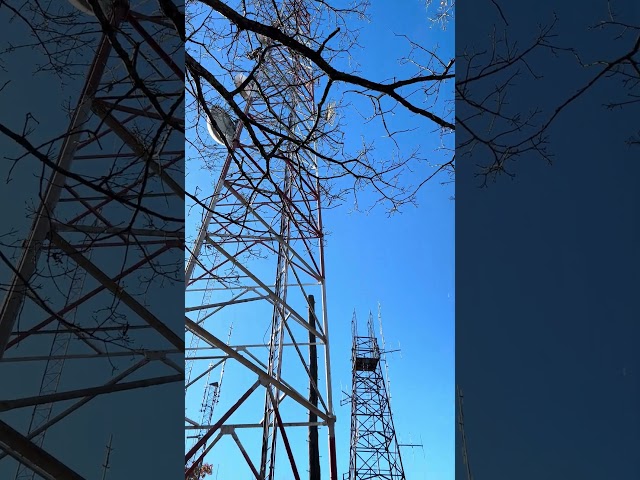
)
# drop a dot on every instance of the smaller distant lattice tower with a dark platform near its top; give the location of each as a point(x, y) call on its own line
point(374, 451)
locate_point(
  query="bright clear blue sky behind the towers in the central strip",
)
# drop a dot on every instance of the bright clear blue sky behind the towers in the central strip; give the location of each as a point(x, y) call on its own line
point(405, 261)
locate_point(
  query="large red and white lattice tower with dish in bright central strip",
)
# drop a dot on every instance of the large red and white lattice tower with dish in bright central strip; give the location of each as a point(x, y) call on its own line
point(258, 261)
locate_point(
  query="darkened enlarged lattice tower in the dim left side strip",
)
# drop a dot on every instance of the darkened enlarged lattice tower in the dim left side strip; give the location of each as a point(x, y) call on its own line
point(76, 322)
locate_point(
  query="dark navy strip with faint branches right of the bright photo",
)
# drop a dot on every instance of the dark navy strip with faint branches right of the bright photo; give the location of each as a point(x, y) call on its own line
point(548, 251)
